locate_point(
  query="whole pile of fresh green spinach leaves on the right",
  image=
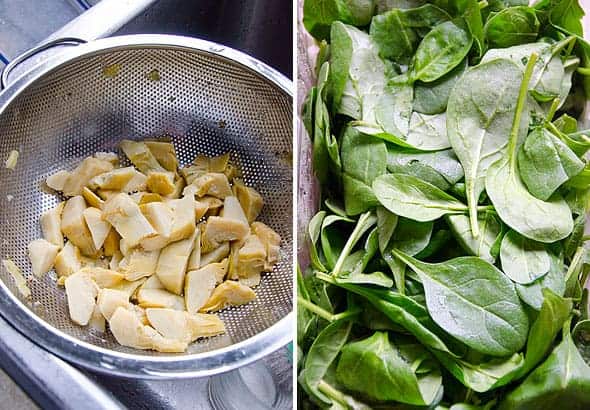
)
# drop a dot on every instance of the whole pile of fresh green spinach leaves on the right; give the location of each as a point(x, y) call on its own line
point(447, 262)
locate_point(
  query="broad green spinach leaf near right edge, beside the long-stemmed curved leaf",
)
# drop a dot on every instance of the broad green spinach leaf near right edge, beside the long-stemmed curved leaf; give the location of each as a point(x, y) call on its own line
point(545, 163)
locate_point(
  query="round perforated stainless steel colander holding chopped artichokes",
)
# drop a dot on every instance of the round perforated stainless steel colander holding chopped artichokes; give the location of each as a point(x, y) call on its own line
point(208, 100)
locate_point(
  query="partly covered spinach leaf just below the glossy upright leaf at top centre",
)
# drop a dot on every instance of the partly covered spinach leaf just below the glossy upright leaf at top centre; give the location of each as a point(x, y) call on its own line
point(432, 98)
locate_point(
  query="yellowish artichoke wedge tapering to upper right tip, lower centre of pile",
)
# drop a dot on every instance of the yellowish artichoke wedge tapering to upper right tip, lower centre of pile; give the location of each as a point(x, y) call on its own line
point(172, 264)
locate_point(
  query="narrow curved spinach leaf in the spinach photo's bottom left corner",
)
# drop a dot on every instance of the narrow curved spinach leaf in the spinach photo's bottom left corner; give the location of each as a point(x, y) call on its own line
point(322, 353)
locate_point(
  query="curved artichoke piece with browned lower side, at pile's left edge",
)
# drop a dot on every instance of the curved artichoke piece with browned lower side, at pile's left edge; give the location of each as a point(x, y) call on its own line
point(74, 226)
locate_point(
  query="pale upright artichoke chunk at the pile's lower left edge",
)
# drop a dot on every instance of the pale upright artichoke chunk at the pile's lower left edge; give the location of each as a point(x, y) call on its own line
point(81, 292)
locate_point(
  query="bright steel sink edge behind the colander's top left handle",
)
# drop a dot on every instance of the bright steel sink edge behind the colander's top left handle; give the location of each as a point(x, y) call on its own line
point(99, 21)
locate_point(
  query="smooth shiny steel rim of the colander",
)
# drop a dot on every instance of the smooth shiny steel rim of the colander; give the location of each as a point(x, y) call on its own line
point(134, 365)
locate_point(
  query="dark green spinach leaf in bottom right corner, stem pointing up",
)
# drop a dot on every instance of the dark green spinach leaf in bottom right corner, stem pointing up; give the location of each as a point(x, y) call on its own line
point(563, 378)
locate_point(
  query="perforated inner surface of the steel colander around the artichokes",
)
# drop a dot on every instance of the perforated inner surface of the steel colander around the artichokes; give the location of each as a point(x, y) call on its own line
point(203, 103)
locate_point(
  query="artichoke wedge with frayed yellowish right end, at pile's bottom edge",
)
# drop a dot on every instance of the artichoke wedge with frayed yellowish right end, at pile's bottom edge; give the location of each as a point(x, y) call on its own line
point(177, 325)
